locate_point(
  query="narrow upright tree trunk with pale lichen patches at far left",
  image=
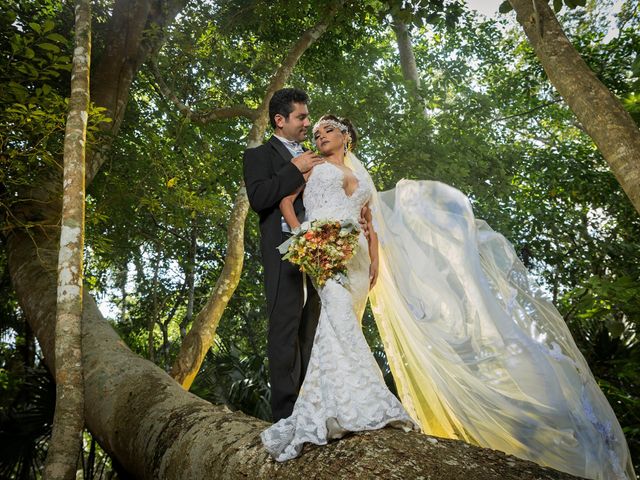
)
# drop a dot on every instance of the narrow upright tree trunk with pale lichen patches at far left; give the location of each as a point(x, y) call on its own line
point(68, 422)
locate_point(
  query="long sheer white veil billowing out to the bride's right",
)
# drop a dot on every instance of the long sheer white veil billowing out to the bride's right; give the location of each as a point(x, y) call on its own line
point(476, 351)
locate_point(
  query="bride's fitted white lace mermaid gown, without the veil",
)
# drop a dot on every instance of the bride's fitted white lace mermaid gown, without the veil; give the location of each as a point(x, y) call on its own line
point(343, 390)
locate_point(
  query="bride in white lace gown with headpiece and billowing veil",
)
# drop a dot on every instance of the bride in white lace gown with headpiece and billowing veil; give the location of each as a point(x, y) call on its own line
point(476, 351)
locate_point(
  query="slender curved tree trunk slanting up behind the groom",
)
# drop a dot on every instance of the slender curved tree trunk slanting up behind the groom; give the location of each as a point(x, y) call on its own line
point(200, 338)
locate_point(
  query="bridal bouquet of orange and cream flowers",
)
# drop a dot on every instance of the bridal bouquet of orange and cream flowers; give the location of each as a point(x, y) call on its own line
point(322, 248)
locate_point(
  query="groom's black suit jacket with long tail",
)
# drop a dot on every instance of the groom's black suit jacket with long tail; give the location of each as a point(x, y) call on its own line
point(269, 176)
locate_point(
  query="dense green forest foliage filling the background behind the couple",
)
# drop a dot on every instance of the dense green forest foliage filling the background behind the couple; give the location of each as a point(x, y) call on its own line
point(486, 120)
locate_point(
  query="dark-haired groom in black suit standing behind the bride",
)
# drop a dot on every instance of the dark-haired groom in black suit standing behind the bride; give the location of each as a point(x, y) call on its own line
point(271, 172)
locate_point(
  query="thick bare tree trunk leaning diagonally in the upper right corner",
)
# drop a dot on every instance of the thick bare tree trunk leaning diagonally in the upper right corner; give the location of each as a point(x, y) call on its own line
point(604, 119)
